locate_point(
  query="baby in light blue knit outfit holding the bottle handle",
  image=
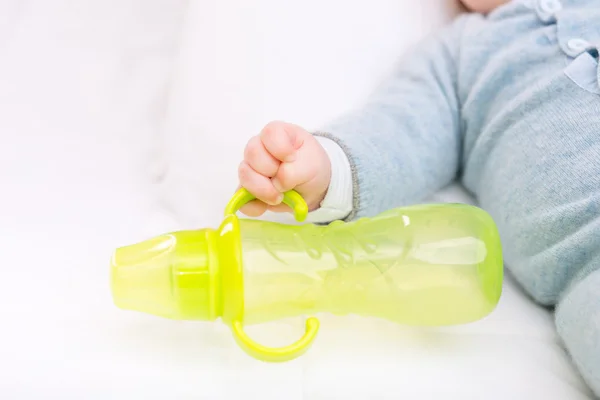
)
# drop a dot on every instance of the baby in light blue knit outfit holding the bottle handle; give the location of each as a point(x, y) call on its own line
point(507, 98)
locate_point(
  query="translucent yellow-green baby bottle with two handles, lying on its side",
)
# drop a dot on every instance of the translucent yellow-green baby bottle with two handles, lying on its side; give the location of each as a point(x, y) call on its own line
point(427, 265)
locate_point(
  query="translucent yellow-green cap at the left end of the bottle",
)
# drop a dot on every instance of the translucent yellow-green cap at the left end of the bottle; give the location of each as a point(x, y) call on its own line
point(167, 276)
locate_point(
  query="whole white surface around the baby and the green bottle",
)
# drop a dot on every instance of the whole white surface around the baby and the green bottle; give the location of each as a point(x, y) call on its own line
point(115, 118)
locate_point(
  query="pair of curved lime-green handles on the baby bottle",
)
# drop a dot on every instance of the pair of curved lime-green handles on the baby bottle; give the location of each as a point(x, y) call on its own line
point(273, 354)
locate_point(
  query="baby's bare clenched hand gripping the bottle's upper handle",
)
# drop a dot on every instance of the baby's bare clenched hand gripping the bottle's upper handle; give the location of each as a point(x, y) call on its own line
point(283, 157)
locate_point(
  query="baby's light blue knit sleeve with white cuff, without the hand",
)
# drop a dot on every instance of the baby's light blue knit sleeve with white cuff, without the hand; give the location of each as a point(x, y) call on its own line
point(405, 142)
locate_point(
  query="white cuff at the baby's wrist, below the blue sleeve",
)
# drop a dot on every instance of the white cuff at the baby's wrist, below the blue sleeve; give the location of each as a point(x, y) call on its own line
point(337, 203)
